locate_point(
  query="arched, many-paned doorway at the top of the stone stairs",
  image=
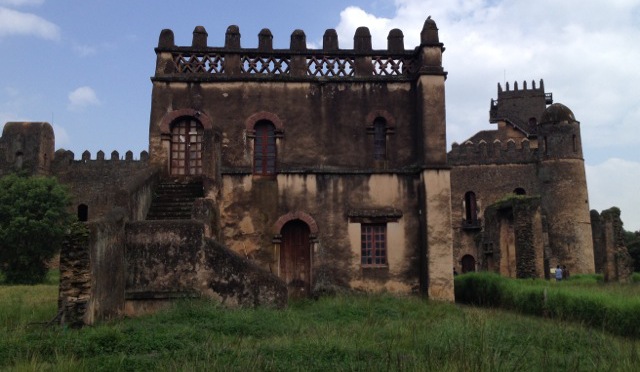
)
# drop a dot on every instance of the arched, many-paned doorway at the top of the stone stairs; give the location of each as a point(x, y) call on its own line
point(186, 147)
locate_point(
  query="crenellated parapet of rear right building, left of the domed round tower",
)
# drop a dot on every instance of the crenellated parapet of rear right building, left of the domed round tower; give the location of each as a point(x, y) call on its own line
point(496, 152)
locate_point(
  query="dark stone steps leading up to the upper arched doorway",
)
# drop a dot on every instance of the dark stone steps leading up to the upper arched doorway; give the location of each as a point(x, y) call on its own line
point(173, 200)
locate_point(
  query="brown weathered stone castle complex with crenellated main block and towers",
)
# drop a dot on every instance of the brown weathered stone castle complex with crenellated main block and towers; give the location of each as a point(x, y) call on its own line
point(274, 173)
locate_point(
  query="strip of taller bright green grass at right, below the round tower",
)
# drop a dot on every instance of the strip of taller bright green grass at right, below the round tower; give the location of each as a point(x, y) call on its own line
point(584, 299)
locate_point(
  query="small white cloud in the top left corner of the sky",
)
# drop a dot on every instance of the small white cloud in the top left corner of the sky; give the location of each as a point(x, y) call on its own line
point(13, 22)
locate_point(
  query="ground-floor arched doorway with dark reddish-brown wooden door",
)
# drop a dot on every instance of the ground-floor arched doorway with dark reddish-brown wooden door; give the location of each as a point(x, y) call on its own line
point(295, 258)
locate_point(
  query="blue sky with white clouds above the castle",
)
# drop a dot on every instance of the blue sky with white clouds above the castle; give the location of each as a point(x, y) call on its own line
point(85, 66)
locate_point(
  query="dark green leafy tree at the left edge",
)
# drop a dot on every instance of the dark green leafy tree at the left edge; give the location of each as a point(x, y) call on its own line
point(33, 221)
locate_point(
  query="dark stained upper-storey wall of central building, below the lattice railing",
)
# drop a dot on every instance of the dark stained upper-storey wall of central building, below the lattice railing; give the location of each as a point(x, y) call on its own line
point(321, 123)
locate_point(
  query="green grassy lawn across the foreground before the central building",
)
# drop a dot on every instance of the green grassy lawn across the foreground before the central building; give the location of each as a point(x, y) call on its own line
point(358, 332)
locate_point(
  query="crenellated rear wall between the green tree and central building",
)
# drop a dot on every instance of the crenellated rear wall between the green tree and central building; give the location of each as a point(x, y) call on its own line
point(101, 184)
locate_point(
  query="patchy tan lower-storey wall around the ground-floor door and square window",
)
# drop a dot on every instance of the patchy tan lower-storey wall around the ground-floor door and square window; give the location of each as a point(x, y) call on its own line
point(250, 208)
